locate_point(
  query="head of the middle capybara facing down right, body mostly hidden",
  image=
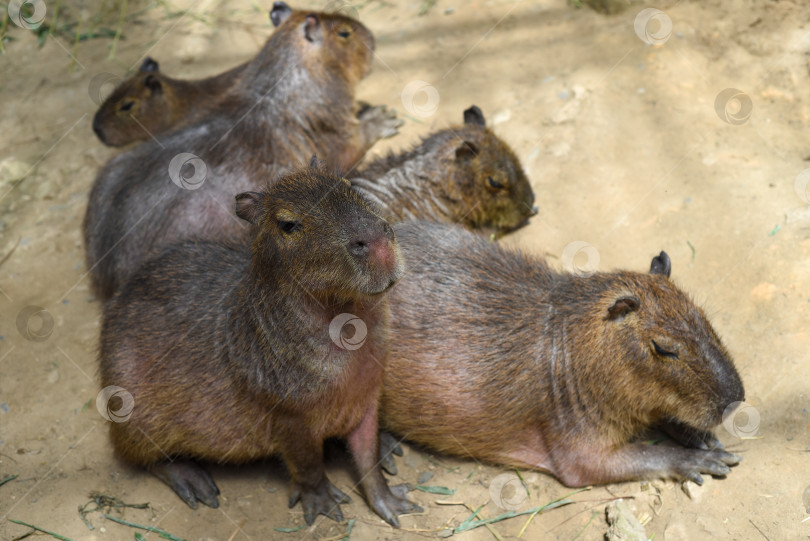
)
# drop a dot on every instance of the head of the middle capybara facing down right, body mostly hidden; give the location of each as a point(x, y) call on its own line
point(489, 178)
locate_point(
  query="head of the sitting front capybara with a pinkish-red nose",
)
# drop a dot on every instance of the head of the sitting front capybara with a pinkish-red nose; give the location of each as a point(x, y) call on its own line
point(312, 221)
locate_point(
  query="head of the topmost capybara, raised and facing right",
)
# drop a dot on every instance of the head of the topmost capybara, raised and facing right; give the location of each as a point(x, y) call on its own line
point(343, 45)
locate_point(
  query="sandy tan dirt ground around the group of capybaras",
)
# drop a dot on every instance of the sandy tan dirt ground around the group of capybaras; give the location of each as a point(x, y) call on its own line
point(629, 149)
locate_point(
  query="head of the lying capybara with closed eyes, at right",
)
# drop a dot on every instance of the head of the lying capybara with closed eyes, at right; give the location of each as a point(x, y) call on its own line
point(663, 350)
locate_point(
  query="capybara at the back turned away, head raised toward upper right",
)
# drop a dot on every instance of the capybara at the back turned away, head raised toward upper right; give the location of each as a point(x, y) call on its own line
point(295, 99)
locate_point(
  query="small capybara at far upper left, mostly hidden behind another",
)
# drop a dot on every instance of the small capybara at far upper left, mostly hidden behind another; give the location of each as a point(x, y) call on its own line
point(149, 103)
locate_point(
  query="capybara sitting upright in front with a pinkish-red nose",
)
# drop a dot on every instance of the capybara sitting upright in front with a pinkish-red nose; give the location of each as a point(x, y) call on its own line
point(233, 352)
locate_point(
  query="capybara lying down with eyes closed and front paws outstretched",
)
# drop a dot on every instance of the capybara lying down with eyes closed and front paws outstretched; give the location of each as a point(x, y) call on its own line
point(494, 354)
